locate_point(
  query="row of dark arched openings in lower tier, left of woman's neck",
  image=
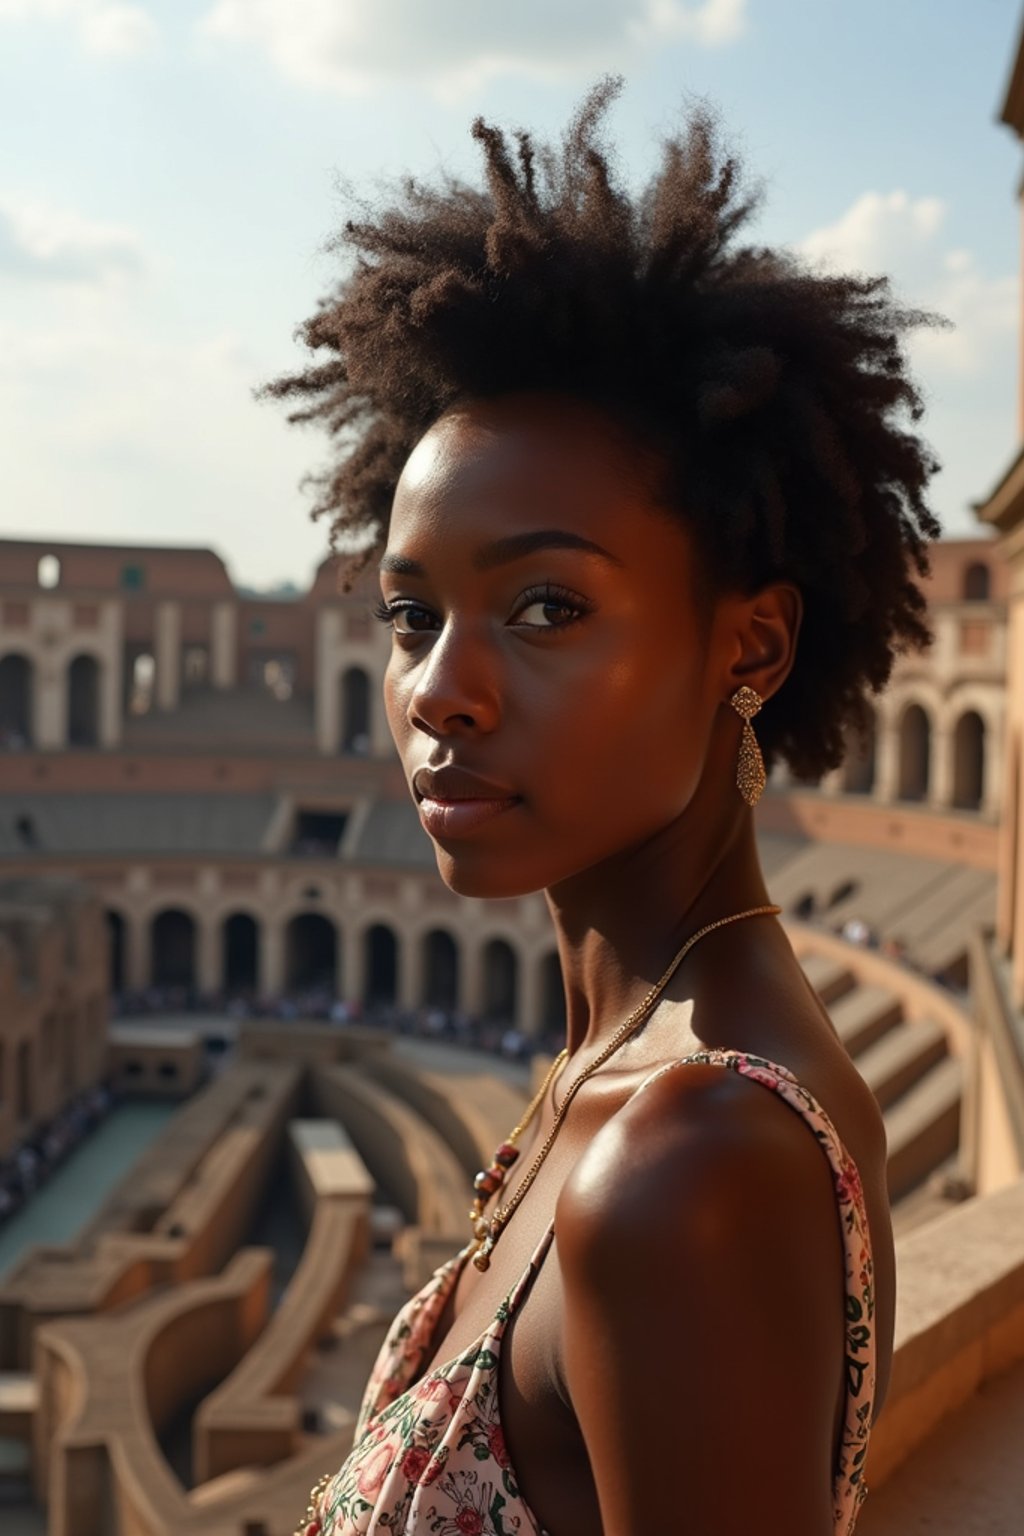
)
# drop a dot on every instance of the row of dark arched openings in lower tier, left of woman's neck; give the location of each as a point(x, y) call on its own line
point(312, 964)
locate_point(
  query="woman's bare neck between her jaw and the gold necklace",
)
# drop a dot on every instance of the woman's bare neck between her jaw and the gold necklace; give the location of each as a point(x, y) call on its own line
point(621, 924)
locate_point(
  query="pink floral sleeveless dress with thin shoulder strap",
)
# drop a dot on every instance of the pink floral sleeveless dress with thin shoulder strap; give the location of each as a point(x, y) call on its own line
point(429, 1455)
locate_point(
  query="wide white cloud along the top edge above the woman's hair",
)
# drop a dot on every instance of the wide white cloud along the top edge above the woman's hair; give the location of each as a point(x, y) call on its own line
point(458, 45)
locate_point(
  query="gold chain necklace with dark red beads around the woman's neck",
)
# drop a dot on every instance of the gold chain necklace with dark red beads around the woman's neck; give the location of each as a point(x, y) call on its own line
point(489, 1182)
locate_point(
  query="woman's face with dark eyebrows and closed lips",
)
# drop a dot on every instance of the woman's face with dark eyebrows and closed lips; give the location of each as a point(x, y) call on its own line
point(553, 686)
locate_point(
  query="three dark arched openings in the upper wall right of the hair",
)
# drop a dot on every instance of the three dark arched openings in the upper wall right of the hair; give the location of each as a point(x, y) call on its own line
point(916, 760)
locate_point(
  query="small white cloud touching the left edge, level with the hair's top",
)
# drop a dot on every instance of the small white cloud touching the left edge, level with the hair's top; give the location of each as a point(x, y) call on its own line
point(39, 240)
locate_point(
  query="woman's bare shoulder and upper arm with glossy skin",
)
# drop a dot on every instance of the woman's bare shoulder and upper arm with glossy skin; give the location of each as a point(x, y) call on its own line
point(704, 1314)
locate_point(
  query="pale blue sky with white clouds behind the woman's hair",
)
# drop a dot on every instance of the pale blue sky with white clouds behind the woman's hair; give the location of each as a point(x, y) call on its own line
point(171, 174)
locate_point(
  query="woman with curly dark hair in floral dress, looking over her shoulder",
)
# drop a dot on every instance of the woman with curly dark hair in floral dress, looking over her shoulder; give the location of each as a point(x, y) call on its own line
point(630, 482)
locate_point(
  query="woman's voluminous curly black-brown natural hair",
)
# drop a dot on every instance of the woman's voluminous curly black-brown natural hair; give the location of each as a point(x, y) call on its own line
point(776, 396)
